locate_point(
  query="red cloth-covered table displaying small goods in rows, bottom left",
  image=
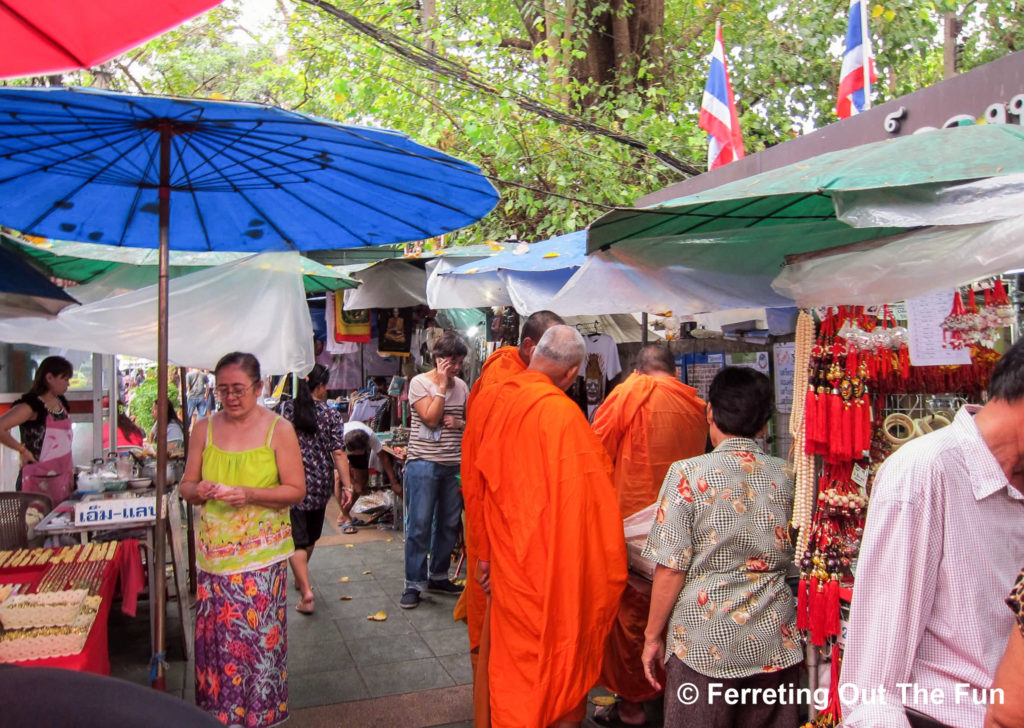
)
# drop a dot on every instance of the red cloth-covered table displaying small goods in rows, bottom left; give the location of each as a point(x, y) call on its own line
point(55, 604)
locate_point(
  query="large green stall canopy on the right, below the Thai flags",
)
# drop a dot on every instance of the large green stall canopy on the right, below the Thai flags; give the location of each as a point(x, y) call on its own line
point(809, 193)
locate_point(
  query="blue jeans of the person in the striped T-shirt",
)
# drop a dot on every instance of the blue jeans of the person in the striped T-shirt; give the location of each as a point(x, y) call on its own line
point(433, 521)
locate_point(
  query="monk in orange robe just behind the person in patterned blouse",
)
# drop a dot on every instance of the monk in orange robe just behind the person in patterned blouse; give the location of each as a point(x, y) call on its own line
point(648, 423)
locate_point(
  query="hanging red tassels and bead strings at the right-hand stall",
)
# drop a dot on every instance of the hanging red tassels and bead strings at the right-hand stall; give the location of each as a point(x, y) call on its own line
point(855, 378)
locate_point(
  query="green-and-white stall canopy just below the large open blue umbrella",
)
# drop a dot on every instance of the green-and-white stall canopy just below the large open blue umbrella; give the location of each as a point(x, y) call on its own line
point(82, 263)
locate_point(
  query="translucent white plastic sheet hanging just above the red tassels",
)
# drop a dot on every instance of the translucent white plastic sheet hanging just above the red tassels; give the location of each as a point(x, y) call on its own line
point(908, 266)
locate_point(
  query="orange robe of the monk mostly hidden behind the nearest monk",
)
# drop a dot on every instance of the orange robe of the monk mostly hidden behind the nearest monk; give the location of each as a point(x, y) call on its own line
point(500, 367)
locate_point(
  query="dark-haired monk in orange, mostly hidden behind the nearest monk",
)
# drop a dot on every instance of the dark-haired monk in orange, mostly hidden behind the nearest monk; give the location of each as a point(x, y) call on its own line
point(500, 367)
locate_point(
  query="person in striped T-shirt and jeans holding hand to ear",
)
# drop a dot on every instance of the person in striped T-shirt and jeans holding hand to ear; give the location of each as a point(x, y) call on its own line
point(439, 402)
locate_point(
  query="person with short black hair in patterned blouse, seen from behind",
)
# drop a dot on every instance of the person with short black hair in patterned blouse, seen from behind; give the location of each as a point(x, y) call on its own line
point(723, 551)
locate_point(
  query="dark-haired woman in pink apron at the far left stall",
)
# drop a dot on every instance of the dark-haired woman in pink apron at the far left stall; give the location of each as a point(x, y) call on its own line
point(45, 419)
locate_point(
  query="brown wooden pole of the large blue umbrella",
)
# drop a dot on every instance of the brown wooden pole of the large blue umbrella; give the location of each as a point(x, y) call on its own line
point(157, 678)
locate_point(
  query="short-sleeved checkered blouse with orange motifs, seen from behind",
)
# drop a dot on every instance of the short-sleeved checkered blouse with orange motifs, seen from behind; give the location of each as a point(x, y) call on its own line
point(722, 519)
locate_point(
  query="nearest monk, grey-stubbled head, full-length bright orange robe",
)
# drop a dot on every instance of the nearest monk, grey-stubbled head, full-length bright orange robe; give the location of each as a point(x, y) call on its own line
point(551, 549)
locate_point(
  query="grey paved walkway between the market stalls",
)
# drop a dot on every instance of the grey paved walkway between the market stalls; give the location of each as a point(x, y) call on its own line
point(411, 670)
